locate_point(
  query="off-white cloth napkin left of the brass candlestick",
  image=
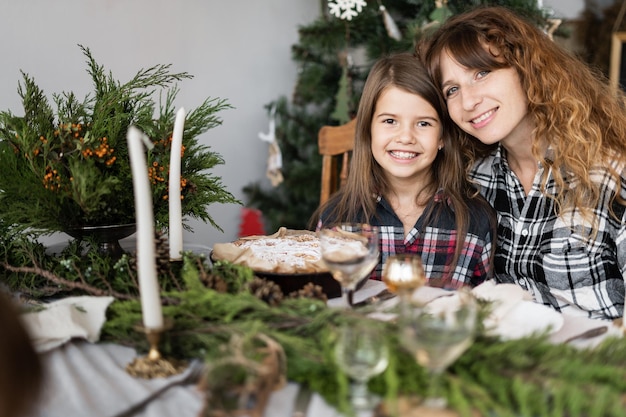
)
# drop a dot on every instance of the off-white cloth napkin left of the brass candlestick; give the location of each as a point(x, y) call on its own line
point(71, 317)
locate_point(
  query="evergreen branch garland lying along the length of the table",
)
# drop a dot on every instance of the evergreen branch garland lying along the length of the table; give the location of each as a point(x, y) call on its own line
point(211, 304)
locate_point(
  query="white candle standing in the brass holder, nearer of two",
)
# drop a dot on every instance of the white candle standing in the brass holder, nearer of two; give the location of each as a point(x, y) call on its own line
point(144, 217)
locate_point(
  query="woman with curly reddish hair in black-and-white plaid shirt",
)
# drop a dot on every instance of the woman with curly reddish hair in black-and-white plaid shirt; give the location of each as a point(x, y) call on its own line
point(548, 151)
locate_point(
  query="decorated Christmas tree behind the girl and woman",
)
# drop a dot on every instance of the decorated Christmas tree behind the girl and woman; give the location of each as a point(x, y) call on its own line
point(334, 56)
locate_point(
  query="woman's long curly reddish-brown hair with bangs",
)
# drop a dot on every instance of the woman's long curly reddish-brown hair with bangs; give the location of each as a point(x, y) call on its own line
point(576, 113)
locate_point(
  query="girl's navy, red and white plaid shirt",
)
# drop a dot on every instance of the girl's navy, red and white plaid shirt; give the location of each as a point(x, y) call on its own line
point(437, 242)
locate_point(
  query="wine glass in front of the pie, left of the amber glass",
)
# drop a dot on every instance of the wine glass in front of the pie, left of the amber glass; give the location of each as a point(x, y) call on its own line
point(350, 251)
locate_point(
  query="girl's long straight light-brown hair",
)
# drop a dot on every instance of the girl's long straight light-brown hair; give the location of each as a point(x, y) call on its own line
point(356, 200)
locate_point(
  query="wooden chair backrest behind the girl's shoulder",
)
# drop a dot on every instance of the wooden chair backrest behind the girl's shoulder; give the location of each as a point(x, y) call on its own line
point(335, 143)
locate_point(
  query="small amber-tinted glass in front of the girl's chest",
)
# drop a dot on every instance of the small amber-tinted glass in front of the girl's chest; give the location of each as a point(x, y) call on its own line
point(403, 274)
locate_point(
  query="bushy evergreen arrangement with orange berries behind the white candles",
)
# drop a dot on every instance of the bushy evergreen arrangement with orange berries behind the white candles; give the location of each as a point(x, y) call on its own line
point(67, 166)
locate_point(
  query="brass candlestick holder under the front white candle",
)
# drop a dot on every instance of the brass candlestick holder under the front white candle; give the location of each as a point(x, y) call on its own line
point(153, 365)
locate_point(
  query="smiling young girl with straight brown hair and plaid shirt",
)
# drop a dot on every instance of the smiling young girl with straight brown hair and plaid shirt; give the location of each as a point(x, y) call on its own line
point(407, 176)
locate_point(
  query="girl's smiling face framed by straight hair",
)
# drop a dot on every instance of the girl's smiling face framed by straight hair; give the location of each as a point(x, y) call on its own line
point(406, 136)
